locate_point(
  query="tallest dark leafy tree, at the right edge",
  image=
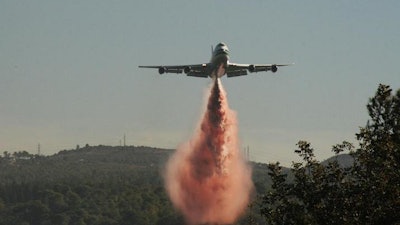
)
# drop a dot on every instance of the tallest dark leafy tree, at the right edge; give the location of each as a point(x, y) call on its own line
point(378, 160)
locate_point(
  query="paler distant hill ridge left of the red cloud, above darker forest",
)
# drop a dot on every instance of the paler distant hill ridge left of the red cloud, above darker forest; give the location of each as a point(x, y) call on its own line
point(92, 163)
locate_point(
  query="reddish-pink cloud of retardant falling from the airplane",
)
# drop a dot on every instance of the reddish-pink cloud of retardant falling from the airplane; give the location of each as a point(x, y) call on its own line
point(207, 178)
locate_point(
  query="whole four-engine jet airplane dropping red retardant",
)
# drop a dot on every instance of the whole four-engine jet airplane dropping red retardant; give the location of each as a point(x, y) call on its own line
point(218, 66)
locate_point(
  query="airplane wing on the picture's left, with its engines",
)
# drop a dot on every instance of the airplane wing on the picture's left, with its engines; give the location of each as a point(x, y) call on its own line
point(195, 70)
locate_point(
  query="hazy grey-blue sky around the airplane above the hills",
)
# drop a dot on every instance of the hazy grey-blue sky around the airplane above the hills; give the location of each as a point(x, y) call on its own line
point(69, 71)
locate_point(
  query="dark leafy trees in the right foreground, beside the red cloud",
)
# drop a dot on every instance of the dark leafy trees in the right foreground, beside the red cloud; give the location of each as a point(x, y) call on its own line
point(367, 192)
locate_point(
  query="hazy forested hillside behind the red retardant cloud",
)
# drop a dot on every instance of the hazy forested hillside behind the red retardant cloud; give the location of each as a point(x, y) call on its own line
point(92, 185)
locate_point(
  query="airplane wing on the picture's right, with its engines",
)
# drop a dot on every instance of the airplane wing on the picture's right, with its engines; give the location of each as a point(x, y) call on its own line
point(237, 69)
